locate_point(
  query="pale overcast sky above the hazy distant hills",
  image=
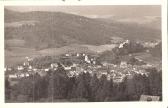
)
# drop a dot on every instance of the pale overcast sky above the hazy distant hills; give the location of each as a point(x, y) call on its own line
point(98, 11)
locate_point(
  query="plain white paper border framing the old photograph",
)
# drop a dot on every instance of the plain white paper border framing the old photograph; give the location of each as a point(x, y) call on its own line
point(162, 104)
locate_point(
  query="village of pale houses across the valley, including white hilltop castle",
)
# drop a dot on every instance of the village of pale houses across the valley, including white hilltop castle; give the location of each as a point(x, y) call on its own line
point(77, 63)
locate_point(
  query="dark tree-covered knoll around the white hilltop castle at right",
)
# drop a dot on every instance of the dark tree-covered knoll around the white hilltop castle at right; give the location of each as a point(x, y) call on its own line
point(115, 55)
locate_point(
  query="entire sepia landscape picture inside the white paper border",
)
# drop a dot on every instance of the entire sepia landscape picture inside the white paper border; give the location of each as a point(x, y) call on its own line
point(87, 53)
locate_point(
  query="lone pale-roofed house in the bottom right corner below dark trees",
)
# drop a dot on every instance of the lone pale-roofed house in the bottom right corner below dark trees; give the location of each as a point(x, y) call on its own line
point(149, 98)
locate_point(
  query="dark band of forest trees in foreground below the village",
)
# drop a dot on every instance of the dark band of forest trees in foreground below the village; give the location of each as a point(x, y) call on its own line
point(56, 86)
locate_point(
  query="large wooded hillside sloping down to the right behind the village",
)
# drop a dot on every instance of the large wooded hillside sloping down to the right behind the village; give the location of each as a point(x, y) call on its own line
point(42, 30)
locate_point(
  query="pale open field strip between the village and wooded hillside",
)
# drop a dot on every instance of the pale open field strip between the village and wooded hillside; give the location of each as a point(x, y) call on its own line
point(17, 54)
